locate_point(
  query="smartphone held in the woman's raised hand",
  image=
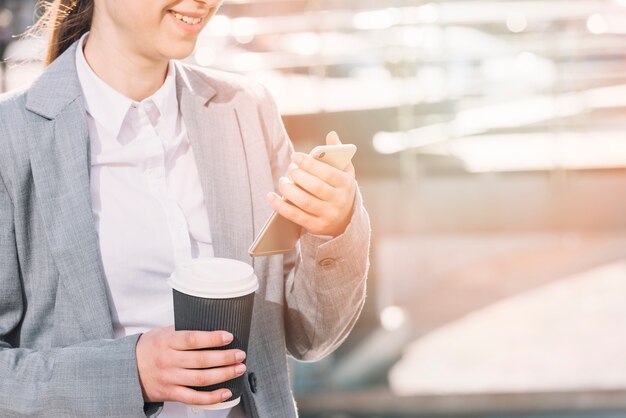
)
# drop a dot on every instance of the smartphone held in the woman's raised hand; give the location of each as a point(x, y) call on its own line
point(280, 235)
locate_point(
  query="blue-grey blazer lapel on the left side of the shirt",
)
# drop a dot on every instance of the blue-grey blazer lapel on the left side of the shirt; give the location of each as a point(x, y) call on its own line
point(60, 165)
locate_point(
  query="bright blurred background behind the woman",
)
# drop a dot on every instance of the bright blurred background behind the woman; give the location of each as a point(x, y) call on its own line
point(492, 160)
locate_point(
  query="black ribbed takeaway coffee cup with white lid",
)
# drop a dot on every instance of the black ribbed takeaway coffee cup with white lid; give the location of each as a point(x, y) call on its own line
point(216, 294)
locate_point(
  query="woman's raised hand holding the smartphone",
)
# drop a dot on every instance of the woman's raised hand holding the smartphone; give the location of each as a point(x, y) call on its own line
point(319, 197)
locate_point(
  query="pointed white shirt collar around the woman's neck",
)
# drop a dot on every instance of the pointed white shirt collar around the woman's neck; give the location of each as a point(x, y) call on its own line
point(108, 106)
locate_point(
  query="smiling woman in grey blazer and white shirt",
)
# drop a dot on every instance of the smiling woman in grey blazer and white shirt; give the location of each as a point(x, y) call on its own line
point(120, 161)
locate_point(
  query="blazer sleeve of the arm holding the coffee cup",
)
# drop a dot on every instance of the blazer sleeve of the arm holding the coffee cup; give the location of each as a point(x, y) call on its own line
point(92, 379)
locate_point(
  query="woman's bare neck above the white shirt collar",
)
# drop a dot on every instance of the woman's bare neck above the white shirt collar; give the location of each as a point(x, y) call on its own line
point(112, 59)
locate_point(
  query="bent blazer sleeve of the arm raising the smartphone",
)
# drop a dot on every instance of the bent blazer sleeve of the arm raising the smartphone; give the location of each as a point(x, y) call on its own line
point(325, 279)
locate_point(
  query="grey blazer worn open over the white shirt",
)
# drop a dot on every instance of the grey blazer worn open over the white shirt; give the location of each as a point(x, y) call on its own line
point(58, 357)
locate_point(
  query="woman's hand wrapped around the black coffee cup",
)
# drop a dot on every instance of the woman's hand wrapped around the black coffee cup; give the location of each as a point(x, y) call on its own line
point(167, 364)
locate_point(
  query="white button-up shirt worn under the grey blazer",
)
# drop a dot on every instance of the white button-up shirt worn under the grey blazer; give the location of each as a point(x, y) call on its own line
point(147, 203)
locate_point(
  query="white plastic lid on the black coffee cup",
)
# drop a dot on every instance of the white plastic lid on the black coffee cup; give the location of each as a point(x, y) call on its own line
point(216, 278)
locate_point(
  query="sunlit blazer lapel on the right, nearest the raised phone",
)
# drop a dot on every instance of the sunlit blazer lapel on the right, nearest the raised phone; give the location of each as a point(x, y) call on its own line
point(215, 136)
